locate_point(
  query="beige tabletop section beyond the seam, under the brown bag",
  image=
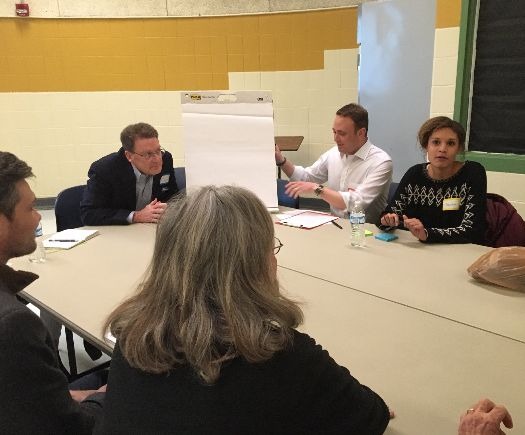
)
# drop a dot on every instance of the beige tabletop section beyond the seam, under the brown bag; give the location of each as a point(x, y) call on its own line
point(429, 277)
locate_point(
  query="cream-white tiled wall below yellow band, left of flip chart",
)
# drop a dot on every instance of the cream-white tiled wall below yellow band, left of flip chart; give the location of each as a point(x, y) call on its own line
point(60, 134)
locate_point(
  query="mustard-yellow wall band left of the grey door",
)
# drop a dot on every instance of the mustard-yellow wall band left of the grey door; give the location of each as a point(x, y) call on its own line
point(45, 55)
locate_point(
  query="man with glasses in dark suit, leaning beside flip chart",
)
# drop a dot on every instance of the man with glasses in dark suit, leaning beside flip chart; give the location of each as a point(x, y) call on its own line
point(131, 185)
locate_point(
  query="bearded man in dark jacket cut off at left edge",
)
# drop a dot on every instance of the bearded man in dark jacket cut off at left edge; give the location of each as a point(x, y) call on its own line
point(34, 396)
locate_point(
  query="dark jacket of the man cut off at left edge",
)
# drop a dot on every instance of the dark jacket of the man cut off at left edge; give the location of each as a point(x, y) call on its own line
point(34, 393)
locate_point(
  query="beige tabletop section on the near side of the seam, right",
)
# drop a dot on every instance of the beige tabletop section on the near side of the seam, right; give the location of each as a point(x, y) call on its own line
point(427, 369)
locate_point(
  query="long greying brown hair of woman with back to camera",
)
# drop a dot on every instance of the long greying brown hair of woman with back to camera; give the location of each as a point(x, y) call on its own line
point(211, 293)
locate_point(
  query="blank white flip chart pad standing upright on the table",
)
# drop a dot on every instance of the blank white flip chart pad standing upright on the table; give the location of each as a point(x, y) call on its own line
point(230, 142)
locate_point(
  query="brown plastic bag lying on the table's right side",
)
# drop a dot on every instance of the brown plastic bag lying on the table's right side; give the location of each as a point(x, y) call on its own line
point(501, 266)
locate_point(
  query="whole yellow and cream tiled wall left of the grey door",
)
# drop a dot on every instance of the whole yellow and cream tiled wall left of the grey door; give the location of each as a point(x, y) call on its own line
point(69, 86)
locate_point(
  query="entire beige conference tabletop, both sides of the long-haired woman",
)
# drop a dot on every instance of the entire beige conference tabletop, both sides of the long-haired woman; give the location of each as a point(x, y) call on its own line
point(427, 368)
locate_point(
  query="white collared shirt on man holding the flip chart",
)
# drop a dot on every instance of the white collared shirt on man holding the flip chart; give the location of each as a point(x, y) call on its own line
point(367, 172)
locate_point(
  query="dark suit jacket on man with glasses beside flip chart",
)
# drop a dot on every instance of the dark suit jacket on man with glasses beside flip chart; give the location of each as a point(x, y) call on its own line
point(110, 194)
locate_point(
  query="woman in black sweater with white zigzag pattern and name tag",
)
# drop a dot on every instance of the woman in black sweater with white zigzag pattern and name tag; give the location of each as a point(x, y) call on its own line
point(442, 200)
